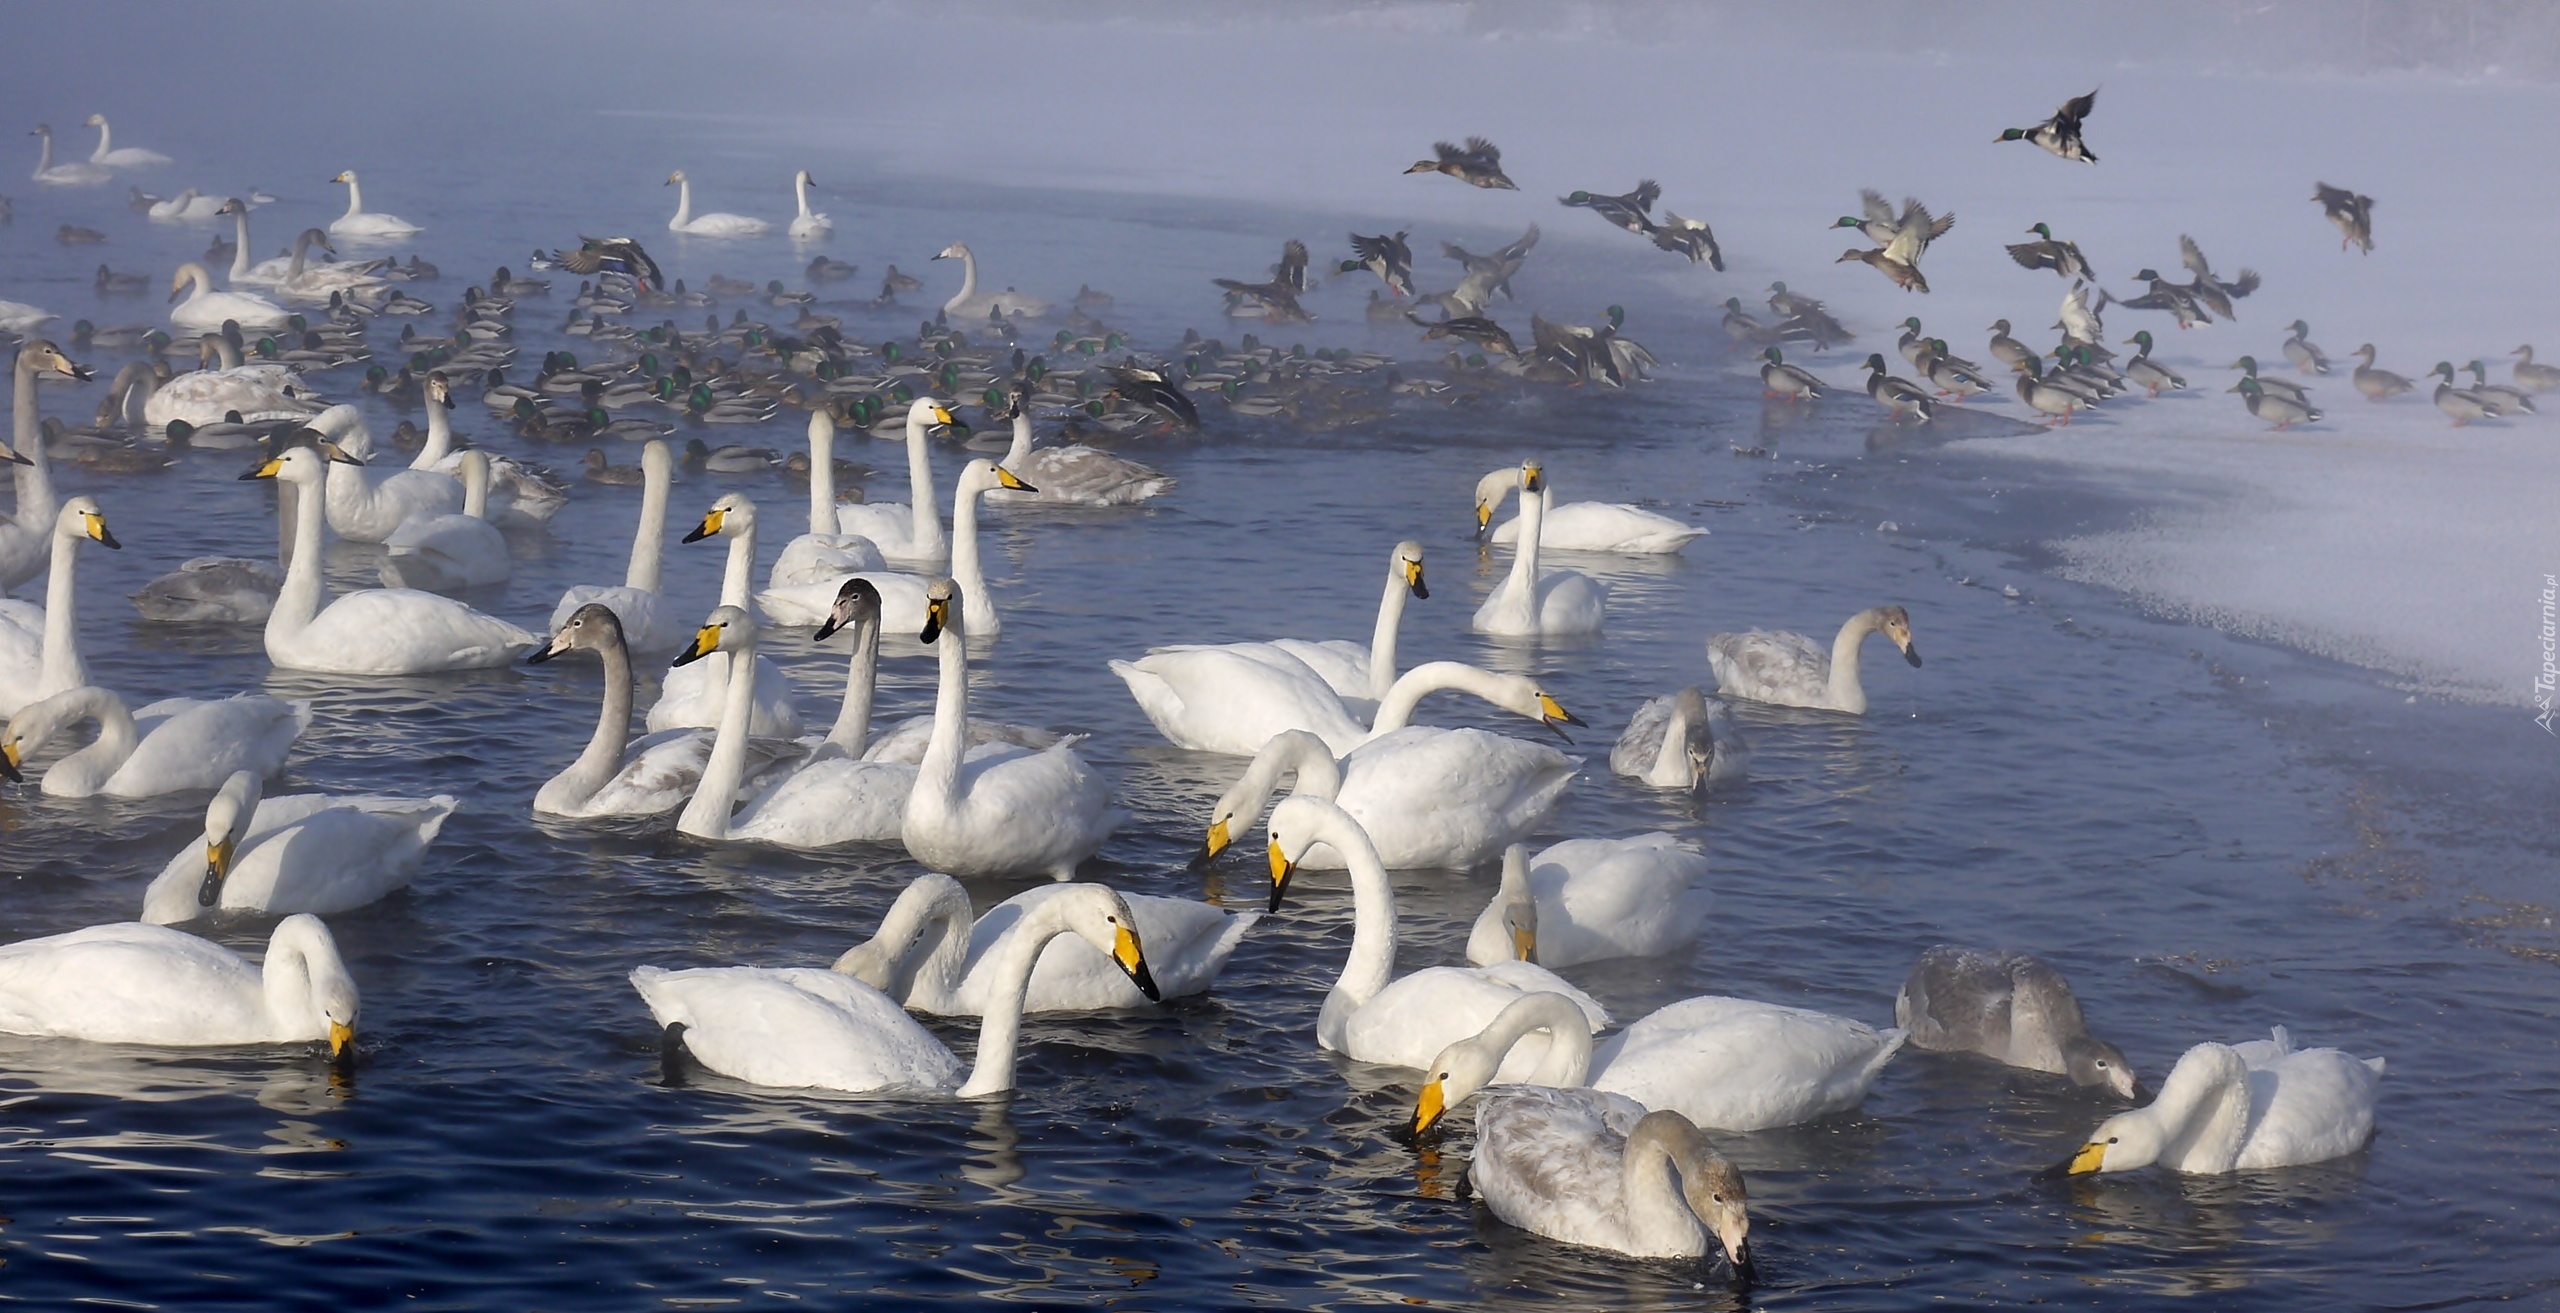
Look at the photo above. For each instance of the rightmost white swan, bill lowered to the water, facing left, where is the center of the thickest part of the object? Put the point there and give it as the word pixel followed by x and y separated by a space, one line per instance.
pixel 2241 1110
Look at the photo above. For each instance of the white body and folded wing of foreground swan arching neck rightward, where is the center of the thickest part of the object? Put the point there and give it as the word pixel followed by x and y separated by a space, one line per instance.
pixel 797 1028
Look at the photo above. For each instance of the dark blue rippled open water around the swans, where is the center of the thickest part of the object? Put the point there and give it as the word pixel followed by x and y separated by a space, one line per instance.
pixel 2211 838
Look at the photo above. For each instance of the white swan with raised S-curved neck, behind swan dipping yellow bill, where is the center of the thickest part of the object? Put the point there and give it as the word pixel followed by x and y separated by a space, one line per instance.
pixel 1371 1015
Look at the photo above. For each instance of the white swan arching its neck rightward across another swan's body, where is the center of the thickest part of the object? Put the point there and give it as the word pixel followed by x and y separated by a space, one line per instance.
pixel 805 1028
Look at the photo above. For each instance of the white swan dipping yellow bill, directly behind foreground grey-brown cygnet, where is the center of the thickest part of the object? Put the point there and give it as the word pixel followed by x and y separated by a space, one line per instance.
pixel 1727 1063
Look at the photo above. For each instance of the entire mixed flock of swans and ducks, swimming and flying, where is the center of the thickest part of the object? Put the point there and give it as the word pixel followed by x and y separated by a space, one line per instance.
pixel 1578 1138
